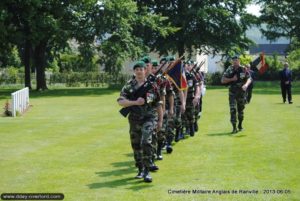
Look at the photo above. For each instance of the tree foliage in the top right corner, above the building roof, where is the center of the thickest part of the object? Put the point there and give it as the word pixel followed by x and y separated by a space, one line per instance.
pixel 282 19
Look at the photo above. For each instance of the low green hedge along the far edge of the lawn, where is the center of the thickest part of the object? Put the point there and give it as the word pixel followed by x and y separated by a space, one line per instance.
pixel 101 79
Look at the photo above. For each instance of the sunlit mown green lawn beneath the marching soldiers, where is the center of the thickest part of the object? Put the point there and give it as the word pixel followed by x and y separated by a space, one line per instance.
pixel 74 141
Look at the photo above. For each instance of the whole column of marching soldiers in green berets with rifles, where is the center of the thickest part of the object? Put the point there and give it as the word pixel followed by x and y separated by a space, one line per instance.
pixel 168 110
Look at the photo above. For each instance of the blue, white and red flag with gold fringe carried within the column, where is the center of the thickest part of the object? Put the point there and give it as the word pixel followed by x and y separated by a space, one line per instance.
pixel 177 75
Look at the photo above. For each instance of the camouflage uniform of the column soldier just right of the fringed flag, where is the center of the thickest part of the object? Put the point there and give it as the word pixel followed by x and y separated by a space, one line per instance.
pixel 189 115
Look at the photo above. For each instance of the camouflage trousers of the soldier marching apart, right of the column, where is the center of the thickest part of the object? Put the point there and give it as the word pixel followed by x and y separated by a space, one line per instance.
pixel 237 106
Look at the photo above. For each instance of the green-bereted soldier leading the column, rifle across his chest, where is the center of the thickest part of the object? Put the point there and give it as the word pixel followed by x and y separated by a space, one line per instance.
pixel 142 120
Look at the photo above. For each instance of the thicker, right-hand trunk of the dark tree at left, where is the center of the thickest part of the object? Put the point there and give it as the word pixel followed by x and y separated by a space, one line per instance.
pixel 40 61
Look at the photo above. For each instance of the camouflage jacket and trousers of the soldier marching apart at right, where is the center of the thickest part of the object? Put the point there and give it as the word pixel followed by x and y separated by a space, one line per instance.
pixel 236 93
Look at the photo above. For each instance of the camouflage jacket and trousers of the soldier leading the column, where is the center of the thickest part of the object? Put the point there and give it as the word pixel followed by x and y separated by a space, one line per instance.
pixel 142 123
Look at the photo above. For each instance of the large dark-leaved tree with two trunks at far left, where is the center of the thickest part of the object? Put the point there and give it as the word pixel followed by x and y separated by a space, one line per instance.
pixel 39 28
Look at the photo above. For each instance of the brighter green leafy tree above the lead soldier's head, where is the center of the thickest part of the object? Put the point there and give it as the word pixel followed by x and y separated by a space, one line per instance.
pixel 115 25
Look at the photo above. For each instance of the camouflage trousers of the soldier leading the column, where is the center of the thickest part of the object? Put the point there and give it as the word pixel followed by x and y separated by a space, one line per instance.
pixel 141 133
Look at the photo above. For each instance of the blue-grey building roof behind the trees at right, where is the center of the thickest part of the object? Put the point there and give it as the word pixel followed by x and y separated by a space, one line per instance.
pixel 269 49
